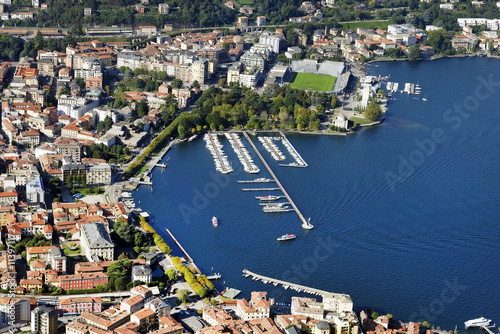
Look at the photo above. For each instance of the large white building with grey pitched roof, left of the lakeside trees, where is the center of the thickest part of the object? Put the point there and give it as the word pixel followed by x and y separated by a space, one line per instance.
pixel 96 242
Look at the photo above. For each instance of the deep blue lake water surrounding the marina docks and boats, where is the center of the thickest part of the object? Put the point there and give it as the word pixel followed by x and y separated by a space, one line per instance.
pixel 406 214
